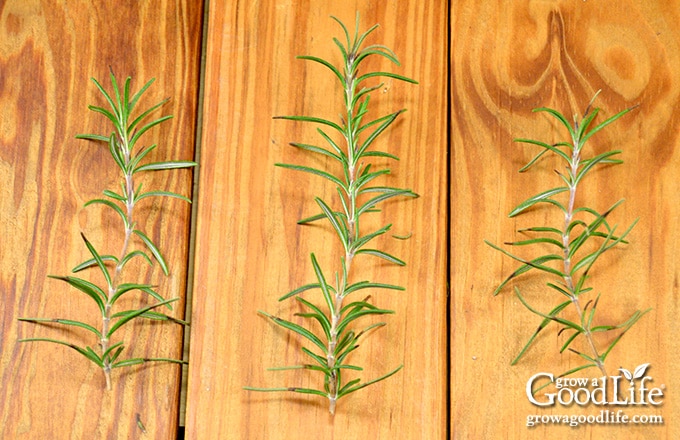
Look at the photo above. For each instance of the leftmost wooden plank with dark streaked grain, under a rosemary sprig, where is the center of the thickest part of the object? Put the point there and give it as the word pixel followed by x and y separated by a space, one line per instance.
pixel 47 55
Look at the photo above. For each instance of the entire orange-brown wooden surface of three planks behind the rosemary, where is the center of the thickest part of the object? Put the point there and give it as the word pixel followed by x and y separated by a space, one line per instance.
pixel 506 59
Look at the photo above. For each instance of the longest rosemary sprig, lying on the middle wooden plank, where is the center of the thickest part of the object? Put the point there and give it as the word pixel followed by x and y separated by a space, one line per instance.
pixel 357 197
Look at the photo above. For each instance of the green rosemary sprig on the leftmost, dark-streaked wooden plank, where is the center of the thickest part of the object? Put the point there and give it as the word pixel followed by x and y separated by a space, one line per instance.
pixel 122 142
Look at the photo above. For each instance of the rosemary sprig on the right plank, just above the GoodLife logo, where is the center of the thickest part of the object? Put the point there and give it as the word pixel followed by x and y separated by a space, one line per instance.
pixel 574 253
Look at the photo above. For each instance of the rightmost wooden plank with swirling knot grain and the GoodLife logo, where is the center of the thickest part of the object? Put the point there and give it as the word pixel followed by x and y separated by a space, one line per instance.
pixel 510 57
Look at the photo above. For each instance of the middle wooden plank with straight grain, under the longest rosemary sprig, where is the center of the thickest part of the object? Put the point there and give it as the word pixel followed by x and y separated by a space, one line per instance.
pixel 249 250
